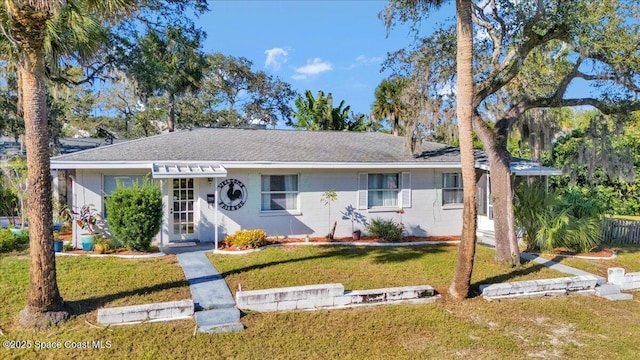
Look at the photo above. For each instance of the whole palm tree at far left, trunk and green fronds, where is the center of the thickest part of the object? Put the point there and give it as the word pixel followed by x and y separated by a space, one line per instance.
pixel 39 32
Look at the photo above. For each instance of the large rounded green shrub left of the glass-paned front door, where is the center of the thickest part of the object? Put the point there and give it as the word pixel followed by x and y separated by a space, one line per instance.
pixel 134 214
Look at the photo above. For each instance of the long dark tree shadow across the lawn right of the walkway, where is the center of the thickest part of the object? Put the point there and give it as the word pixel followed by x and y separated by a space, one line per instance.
pixel 378 254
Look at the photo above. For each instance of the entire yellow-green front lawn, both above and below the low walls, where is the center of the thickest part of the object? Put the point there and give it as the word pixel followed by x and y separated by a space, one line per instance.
pixel 574 327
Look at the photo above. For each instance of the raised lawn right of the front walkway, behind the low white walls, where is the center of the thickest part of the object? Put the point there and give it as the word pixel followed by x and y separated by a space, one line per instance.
pixel 359 268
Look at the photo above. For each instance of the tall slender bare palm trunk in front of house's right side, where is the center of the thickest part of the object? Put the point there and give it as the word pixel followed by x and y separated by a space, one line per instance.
pixel 464 98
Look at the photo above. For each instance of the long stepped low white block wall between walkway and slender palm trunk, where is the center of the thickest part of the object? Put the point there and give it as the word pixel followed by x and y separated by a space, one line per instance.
pixel 330 296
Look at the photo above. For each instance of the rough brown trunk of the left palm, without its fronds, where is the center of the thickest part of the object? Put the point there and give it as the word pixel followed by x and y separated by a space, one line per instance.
pixel 44 305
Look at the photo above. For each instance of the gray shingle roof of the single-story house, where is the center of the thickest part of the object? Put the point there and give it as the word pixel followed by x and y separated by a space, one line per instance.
pixel 261 145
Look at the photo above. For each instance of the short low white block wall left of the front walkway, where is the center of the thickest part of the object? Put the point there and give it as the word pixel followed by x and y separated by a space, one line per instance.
pixel 166 311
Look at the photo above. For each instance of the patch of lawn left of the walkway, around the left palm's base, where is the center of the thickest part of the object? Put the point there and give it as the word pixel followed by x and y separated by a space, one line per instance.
pixel 89 283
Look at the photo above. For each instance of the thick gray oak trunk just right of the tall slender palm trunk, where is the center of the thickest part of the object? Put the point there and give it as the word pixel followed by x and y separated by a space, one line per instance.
pixel 494 141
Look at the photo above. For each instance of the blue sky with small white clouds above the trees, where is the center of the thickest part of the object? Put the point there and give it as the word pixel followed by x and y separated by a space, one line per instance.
pixel 335 45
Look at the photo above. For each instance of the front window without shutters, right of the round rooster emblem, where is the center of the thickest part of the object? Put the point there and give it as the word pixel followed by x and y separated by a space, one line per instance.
pixel 279 192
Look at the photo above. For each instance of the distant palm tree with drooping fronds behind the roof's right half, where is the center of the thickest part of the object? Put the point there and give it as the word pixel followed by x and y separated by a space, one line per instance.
pixel 388 104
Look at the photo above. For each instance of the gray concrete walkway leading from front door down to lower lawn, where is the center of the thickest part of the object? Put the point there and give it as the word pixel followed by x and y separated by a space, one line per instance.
pixel 215 308
